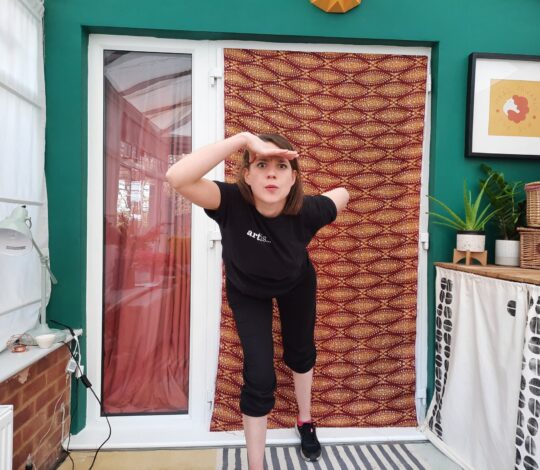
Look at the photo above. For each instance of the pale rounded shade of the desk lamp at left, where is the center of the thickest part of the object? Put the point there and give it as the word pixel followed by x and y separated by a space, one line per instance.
pixel 15 235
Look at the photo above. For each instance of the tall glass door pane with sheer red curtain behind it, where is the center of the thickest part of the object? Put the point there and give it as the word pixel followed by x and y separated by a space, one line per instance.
pixel 147 234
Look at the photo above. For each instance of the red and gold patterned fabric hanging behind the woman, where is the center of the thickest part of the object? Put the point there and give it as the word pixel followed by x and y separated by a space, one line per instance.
pixel 357 121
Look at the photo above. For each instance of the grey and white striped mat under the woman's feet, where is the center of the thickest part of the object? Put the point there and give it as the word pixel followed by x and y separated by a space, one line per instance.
pixel 337 457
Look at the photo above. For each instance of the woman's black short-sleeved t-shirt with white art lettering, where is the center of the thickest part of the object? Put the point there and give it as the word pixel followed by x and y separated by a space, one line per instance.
pixel 263 256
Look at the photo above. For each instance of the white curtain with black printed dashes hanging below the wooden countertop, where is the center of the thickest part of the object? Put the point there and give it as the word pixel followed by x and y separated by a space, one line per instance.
pixel 480 331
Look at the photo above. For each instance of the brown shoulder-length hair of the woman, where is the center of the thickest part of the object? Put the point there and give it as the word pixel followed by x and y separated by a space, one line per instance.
pixel 295 198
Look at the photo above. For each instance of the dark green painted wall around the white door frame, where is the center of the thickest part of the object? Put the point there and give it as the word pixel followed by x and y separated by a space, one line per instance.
pixel 453 29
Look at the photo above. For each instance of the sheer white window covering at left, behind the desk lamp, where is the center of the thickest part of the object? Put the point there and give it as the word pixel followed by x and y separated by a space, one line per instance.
pixel 22 152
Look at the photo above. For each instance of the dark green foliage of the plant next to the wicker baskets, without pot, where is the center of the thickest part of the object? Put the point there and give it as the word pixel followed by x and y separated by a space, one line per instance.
pixel 508 198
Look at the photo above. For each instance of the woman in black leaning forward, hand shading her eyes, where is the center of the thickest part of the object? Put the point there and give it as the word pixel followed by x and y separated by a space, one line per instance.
pixel 266 224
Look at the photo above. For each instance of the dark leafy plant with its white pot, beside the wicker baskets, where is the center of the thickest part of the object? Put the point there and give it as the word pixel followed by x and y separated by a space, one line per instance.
pixel 509 200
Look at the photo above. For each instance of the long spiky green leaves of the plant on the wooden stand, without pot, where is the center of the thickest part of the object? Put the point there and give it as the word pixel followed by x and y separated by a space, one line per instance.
pixel 475 218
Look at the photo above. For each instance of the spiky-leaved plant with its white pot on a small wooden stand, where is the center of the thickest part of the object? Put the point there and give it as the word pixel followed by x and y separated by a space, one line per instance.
pixel 470 229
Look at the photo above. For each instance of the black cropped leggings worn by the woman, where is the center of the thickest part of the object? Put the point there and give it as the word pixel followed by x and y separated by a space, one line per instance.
pixel 253 317
